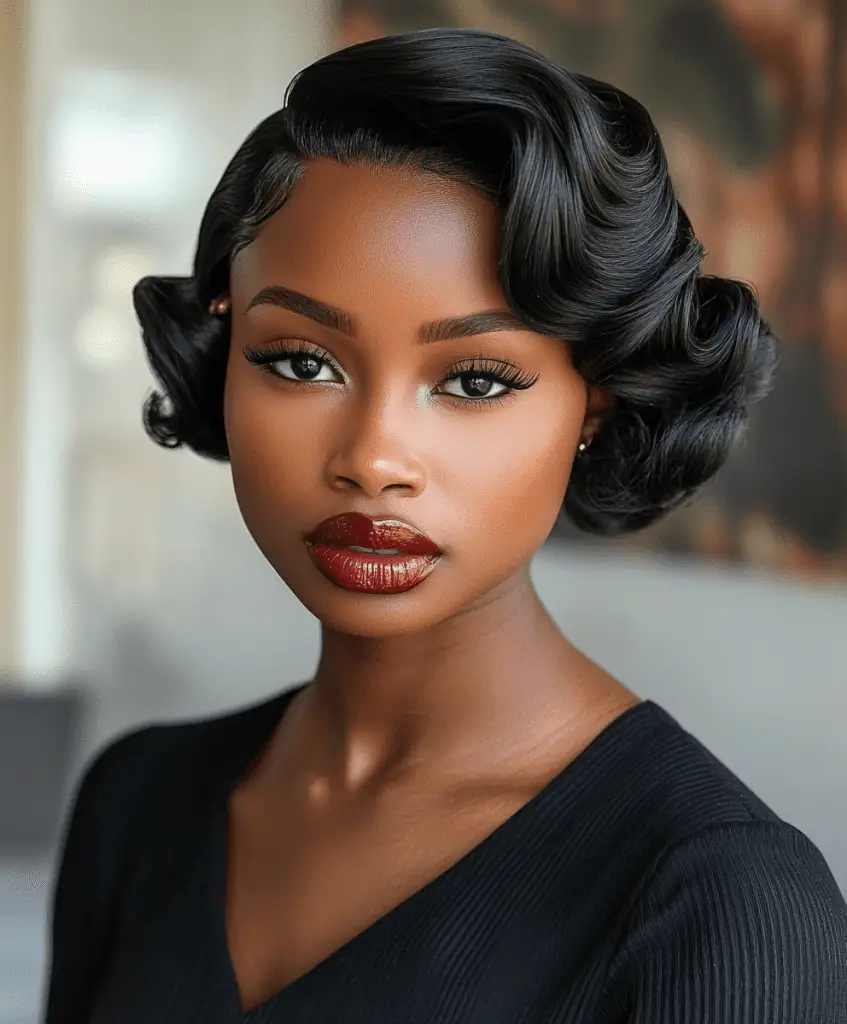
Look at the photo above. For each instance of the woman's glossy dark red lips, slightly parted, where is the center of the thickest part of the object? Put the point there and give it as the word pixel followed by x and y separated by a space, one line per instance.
pixel 397 559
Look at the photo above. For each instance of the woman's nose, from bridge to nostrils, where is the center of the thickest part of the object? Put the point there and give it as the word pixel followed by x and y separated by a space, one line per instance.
pixel 374 453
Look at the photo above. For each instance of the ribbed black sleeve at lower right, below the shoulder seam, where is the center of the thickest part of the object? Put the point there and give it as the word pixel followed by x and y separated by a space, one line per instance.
pixel 741 924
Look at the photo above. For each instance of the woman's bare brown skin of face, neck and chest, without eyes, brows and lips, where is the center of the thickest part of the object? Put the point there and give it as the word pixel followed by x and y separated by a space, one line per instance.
pixel 435 714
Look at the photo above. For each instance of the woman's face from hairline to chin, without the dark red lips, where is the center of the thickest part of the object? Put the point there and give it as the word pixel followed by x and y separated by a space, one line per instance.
pixel 375 417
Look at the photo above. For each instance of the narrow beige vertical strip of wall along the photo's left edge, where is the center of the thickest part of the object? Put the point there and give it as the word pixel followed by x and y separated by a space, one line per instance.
pixel 12 102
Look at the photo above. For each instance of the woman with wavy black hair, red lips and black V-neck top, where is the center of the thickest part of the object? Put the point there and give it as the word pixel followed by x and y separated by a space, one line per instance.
pixel 446 287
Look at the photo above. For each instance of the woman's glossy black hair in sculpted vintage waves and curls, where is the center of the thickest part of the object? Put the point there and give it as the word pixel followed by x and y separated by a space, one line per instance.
pixel 595 249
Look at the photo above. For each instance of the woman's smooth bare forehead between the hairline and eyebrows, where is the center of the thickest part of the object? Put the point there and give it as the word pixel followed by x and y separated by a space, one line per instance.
pixel 358 230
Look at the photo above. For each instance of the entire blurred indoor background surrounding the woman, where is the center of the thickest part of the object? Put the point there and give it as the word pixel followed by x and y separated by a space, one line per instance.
pixel 130 589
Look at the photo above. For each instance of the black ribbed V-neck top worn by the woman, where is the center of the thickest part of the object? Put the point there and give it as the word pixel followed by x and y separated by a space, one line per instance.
pixel 645 885
